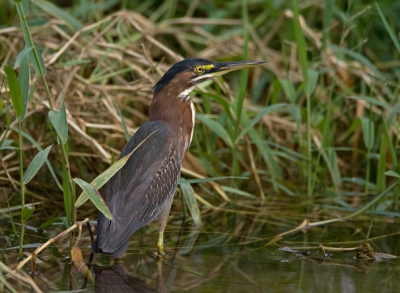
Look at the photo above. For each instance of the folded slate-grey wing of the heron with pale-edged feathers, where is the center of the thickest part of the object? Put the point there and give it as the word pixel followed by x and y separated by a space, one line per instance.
pixel 135 194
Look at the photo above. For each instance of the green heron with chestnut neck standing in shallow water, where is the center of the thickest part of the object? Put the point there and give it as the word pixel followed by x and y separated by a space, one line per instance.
pixel 144 188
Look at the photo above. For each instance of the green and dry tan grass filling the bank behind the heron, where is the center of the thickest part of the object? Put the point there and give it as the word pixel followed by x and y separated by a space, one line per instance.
pixel 321 119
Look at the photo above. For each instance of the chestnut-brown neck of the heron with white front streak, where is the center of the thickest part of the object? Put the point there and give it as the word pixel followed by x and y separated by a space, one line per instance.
pixel 177 111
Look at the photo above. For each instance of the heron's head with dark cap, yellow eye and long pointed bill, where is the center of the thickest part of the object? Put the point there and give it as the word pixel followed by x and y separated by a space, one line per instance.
pixel 184 75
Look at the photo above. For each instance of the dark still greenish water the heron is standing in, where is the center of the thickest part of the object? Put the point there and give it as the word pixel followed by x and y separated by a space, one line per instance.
pixel 230 254
